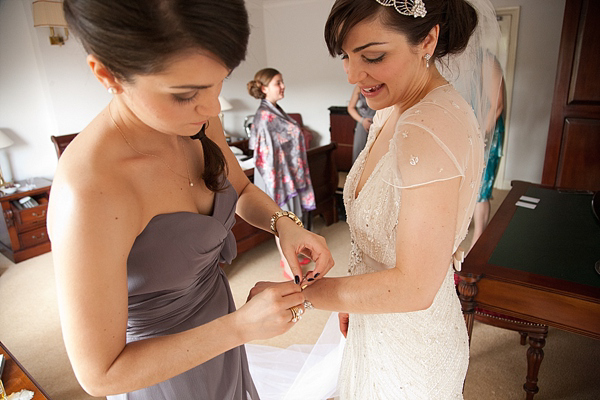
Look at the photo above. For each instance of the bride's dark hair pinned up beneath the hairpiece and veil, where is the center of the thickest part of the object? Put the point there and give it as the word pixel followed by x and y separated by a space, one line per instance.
pixel 457 20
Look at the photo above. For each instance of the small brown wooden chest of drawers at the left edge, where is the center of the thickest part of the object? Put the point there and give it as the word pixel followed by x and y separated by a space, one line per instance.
pixel 23 230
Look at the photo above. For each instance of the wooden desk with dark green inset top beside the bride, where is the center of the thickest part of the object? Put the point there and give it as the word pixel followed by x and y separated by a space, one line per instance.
pixel 551 279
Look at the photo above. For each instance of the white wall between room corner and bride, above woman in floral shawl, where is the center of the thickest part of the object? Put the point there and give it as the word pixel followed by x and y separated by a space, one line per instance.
pixel 295 46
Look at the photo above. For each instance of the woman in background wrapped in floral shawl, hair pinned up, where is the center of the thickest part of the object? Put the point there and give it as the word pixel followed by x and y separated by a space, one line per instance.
pixel 281 167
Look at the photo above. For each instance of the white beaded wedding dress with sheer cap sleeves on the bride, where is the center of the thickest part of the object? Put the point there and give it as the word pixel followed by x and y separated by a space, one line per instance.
pixel 422 354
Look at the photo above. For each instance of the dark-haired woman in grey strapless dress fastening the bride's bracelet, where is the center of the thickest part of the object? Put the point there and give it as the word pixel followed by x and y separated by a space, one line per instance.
pixel 142 207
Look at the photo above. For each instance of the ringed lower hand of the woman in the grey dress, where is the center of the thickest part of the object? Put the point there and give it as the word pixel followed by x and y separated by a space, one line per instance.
pixel 267 313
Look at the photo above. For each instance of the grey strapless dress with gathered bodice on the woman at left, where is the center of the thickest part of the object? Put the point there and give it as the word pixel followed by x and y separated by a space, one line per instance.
pixel 175 283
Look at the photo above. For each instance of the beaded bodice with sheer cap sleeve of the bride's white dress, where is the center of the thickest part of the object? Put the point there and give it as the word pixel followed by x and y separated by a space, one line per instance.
pixel 437 139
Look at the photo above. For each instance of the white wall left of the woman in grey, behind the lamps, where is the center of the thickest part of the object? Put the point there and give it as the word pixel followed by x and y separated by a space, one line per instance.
pixel 45 90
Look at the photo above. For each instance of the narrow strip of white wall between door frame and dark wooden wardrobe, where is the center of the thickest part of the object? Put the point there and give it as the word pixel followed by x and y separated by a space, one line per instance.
pixel 540 26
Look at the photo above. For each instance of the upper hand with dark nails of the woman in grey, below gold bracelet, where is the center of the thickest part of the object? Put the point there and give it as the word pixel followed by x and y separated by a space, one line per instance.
pixel 295 240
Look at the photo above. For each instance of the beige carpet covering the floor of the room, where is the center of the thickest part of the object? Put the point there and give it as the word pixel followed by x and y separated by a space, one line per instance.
pixel 29 327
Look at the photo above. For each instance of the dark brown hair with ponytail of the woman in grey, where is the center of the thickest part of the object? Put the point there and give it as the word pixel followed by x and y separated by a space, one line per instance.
pixel 141 37
